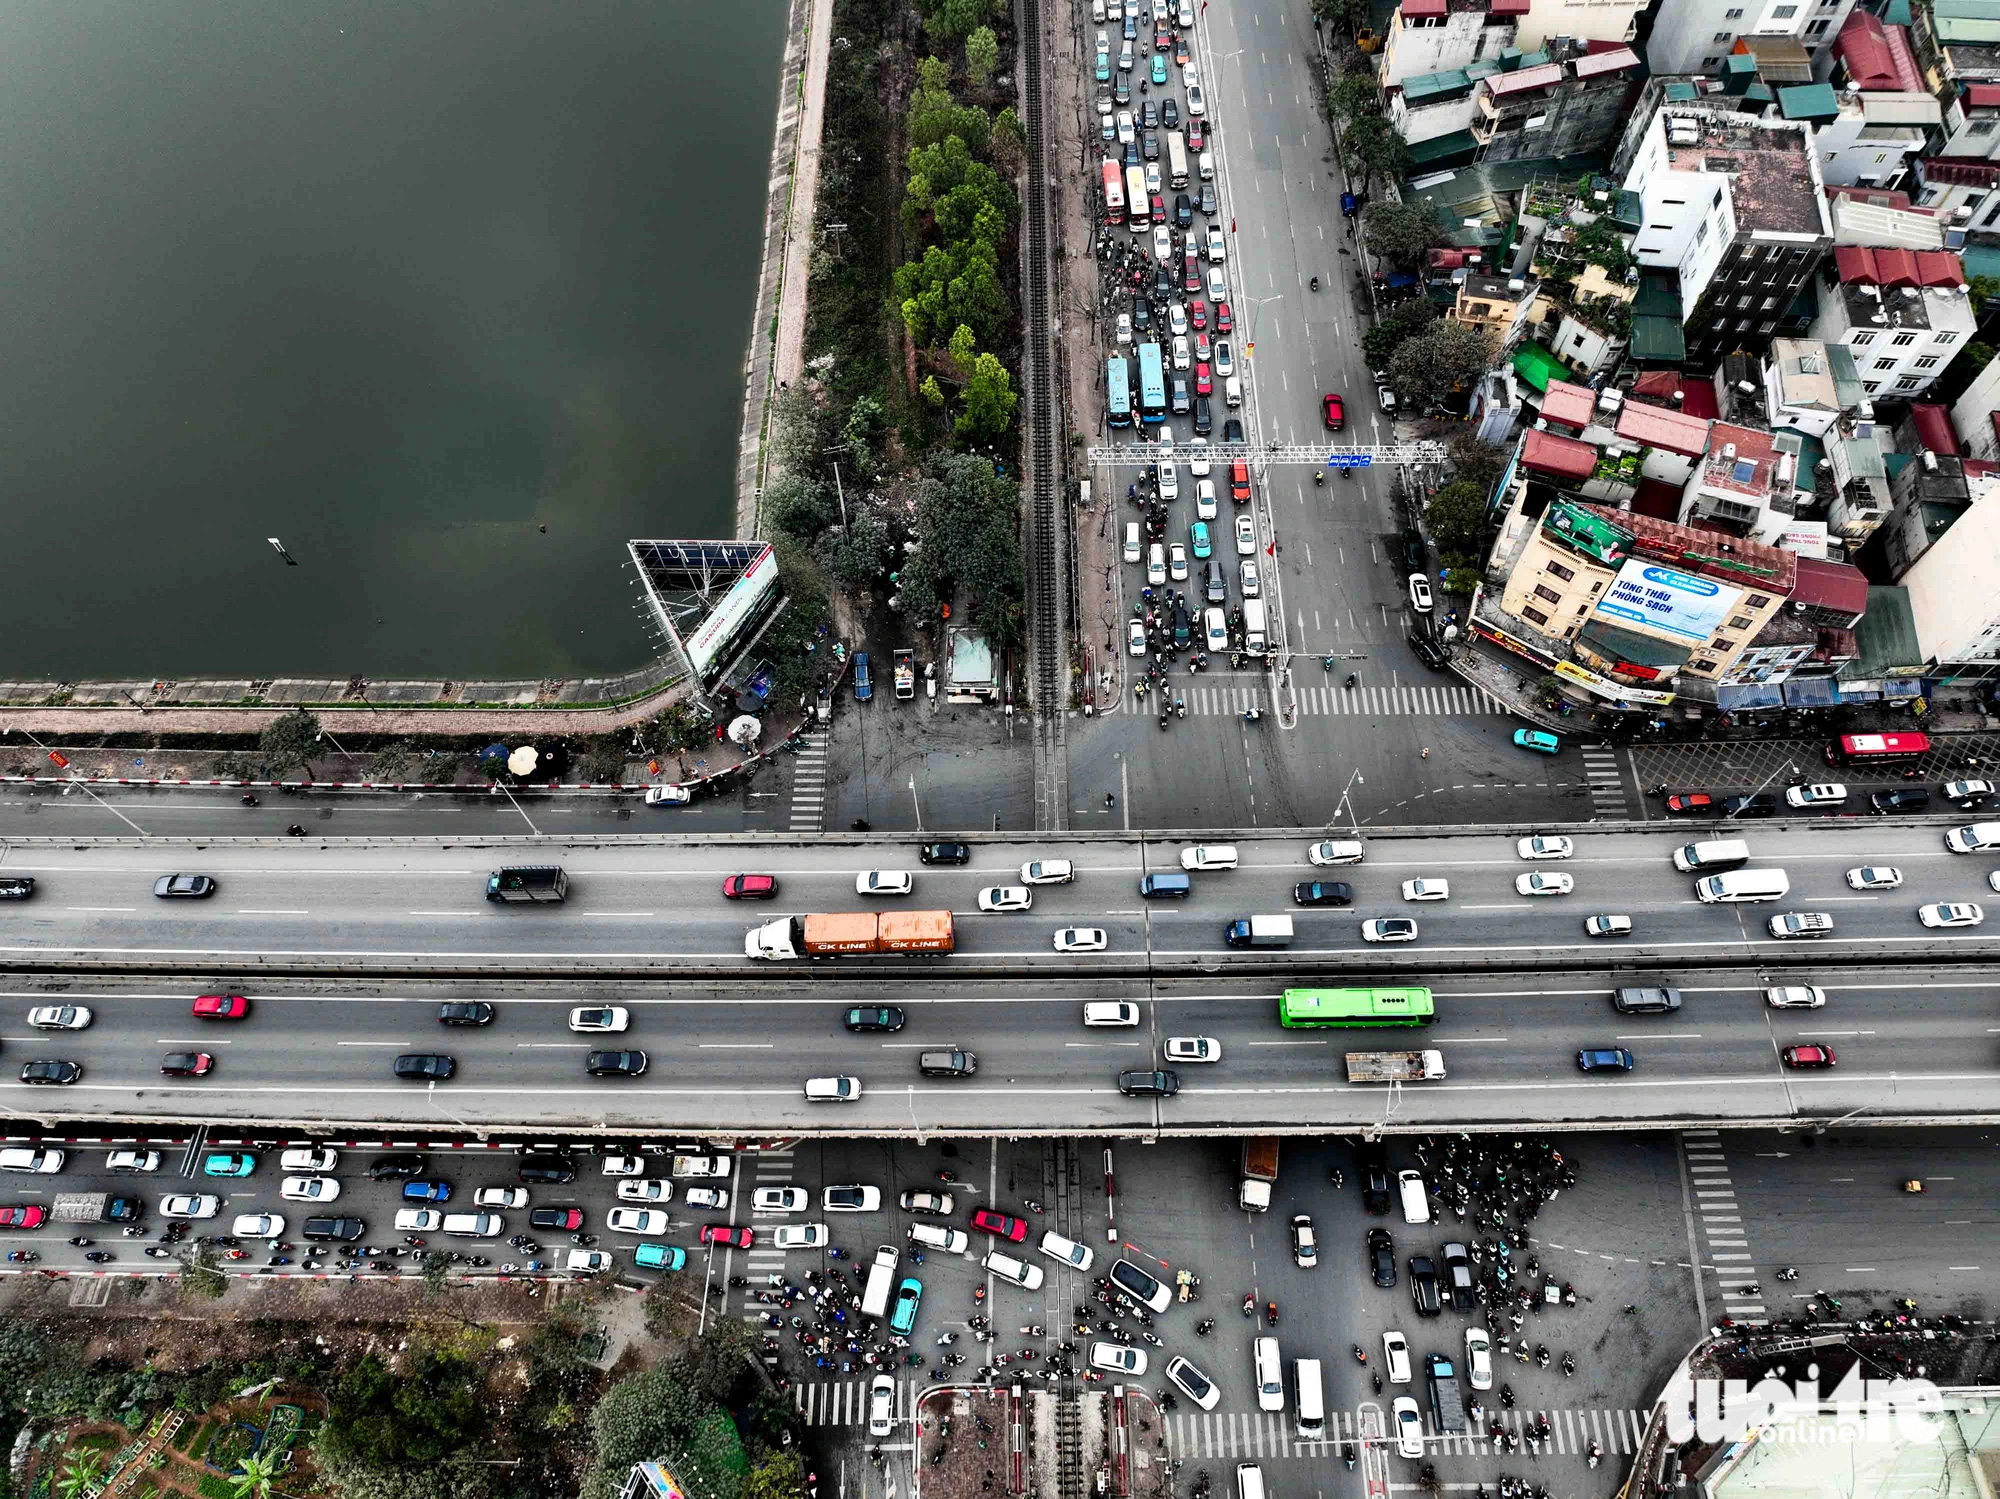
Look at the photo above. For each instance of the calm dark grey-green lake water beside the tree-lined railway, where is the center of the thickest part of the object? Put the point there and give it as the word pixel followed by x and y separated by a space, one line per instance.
pixel 395 283
